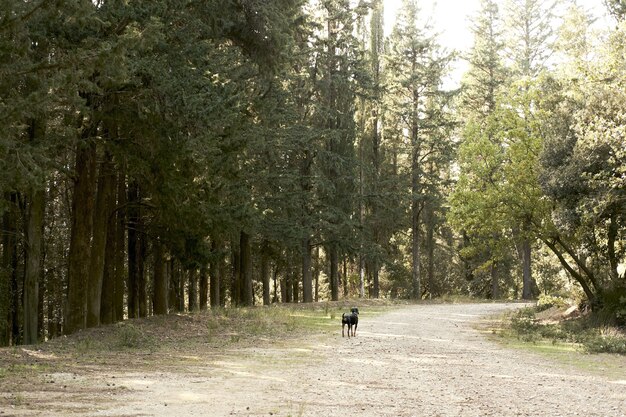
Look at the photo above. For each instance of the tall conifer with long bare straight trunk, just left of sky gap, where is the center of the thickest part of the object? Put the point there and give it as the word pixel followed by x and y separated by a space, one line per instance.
pixel 416 65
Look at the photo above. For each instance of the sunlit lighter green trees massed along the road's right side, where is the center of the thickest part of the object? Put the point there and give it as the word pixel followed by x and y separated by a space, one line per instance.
pixel 542 158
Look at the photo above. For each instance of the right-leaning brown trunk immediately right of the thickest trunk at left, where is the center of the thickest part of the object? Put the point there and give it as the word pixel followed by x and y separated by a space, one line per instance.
pixel 102 213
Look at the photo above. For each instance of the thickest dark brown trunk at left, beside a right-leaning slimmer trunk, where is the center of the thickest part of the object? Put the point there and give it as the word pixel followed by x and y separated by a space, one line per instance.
pixel 80 239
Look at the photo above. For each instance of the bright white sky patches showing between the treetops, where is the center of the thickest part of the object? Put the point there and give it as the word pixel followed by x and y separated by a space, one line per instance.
pixel 450 18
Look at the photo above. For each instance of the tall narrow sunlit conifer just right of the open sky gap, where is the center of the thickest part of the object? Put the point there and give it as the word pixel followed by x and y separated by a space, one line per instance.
pixel 484 246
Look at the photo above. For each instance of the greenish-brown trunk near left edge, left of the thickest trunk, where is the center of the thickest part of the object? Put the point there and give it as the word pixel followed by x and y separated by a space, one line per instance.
pixel 34 237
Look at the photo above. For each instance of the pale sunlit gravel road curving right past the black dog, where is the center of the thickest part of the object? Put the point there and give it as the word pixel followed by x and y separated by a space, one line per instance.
pixel 425 360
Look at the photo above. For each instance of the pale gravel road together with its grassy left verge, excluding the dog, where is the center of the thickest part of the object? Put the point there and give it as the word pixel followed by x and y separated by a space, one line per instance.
pixel 413 360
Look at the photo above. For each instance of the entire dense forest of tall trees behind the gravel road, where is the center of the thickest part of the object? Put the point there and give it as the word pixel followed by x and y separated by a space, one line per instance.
pixel 175 155
